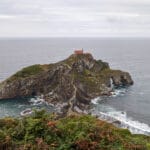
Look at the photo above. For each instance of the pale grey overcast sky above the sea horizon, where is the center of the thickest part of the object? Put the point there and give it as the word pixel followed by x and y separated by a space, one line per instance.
pixel 48 18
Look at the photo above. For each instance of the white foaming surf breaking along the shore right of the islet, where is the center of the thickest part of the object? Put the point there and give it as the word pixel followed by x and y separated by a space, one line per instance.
pixel 118 118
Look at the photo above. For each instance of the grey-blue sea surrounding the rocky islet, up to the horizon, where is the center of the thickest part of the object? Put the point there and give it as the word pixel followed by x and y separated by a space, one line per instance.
pixel 129 107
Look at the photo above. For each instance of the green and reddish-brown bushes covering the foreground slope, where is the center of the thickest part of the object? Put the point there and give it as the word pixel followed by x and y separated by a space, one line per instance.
pixel 42 131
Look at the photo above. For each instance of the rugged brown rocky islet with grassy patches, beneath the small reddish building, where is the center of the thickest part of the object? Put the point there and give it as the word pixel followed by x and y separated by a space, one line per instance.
pixel 74 81
